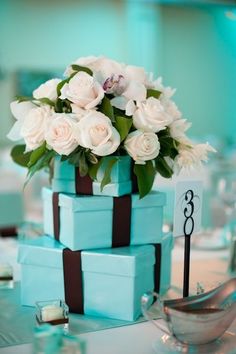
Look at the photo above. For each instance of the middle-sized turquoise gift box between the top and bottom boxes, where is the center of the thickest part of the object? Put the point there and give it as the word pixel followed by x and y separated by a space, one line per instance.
pixel 86 222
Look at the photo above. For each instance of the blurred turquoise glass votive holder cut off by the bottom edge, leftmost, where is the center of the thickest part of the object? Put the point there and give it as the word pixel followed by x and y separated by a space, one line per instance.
pixel 47 339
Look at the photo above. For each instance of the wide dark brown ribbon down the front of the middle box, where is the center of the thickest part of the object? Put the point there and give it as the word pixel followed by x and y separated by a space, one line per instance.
pixel 121 221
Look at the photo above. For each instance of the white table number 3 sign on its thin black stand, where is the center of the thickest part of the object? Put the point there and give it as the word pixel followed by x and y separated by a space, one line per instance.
pixel 187 219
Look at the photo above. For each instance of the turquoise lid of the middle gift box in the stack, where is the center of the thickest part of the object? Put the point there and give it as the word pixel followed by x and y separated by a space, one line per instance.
pixel 77 203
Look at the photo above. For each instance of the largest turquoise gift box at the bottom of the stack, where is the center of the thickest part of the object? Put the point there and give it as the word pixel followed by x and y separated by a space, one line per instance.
pixel 113 279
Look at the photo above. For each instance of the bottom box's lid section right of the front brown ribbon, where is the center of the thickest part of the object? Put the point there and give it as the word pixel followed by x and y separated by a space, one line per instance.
pixel 123 261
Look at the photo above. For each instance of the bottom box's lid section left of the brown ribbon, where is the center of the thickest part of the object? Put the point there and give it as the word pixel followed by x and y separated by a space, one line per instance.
pixel 42 251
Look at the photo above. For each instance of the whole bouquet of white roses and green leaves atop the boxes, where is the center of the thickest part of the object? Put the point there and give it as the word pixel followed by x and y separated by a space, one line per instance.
pixel 104 108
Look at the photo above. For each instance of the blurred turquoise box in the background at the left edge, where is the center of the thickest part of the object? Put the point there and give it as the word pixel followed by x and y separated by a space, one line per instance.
pixel 12 209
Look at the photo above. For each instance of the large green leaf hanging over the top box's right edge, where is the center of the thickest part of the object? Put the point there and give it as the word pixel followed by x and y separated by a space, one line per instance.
pixel 145 176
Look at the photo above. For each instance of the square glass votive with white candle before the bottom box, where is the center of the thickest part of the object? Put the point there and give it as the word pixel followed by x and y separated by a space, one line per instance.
pixel 54 312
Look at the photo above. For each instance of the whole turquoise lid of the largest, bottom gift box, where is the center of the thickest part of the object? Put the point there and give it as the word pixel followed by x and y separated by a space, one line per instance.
pixel 123 261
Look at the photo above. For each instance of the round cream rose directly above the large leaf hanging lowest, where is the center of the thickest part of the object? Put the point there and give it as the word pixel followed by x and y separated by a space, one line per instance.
pixel 142 146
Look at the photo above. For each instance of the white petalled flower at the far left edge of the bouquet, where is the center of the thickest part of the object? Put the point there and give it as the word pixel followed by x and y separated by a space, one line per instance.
pixel 19 111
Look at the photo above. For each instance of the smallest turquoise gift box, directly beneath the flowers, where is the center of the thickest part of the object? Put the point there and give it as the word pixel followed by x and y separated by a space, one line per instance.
pixel 64 177
